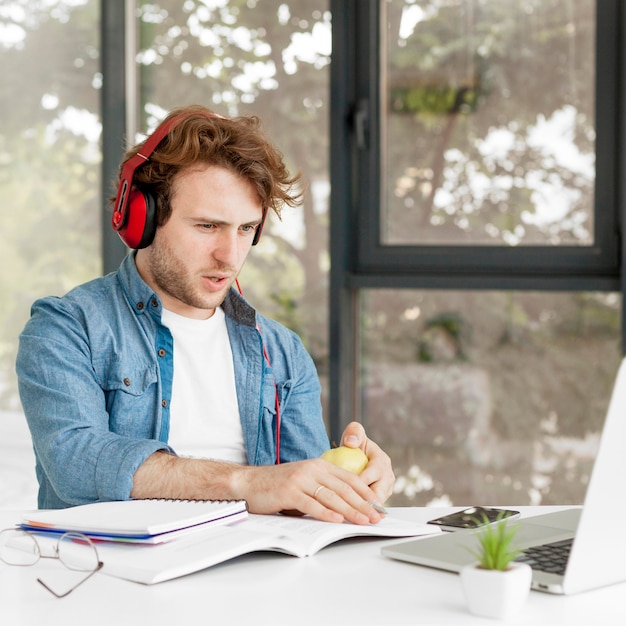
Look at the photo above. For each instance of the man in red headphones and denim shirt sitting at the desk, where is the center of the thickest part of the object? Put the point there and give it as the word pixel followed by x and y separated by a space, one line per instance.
pixel 160 380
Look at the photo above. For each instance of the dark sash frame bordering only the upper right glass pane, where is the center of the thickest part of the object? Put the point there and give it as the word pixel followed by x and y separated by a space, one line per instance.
pixel 569 267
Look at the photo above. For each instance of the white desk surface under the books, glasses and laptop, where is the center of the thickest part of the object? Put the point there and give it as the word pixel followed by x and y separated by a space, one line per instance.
pixel 348 583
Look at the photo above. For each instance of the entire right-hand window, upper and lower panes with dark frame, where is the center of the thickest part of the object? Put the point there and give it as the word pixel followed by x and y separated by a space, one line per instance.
pixel 480 244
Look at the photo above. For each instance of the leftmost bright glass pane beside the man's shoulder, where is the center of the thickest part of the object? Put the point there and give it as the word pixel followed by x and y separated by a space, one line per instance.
pixel 50 185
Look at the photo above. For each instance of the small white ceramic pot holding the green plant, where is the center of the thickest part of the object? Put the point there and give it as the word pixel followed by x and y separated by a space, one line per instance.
pixel 493 593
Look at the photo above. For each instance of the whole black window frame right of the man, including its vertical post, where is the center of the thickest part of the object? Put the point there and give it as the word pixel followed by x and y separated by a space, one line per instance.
pixel 359 260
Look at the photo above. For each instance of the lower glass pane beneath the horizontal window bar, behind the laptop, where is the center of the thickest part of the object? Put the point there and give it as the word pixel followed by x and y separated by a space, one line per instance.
pixel 488 397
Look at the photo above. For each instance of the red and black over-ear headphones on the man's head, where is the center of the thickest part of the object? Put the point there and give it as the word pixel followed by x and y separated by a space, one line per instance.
pixel 134 215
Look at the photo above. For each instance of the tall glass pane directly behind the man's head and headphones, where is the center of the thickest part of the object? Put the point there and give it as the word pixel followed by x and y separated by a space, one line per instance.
pixel 268 59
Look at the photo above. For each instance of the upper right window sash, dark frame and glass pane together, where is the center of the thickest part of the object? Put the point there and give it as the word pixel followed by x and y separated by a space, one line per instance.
pixel 511 178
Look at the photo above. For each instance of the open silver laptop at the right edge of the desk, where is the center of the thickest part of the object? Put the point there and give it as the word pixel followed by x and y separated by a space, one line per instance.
pixel 594 534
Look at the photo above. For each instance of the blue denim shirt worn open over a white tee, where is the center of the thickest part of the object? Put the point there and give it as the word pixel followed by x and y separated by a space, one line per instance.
pixel 95 370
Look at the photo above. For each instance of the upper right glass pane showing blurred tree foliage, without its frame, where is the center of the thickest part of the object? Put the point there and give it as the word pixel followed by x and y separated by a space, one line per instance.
pixel 488 122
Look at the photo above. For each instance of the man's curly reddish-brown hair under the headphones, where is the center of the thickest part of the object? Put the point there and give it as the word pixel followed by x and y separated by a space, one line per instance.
pixel 203 138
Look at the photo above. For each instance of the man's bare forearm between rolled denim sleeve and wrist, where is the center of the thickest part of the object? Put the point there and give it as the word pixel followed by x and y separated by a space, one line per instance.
pixel 164 475
